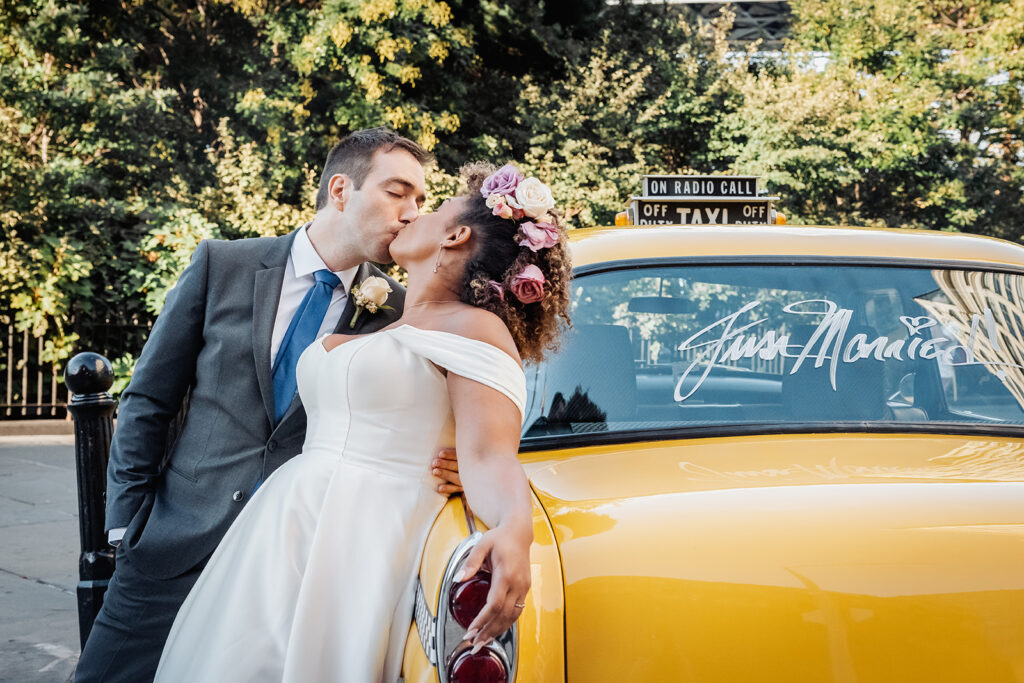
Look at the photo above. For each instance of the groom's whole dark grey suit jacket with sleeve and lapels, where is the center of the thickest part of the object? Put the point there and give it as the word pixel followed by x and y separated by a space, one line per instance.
pixel 212 344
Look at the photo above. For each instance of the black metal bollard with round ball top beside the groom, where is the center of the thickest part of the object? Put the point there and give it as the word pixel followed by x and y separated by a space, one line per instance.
pixel 90 376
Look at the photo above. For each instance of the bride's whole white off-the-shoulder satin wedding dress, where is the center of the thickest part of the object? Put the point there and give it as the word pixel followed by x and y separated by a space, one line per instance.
pixel 315 580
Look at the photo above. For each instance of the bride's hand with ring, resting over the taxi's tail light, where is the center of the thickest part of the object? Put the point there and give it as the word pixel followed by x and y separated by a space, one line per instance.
pixel 508 549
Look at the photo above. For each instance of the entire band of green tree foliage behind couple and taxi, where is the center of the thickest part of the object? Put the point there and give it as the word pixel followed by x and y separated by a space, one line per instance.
pixel 133 130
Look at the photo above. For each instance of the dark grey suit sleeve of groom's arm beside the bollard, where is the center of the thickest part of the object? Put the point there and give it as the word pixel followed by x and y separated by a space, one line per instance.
pixel 158 388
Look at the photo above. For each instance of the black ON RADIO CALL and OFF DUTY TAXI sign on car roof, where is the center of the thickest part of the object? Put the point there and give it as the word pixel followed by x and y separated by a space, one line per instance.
pixel 716 200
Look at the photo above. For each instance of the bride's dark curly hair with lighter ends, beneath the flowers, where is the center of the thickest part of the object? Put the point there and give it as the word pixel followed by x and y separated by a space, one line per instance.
pixel 535 327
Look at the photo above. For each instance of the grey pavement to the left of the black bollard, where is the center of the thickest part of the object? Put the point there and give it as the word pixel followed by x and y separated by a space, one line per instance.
pixel 39 548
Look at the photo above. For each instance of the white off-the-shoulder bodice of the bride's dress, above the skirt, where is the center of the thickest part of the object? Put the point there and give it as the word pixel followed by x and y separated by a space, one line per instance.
pixel 380 402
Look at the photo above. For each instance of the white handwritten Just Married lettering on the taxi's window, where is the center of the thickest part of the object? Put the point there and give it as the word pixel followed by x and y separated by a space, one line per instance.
pixel 724 341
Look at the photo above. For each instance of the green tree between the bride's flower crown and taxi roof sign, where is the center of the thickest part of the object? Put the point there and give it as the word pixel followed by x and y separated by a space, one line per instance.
pixel 642 97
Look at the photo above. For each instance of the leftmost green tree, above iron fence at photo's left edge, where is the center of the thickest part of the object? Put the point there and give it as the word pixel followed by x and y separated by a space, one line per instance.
pixel 81 151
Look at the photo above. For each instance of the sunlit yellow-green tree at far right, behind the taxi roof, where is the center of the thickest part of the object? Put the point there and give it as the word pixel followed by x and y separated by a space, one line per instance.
pixel 911 117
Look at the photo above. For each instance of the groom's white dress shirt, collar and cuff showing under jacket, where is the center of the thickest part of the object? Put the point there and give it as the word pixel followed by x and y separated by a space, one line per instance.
pixel 304 262
